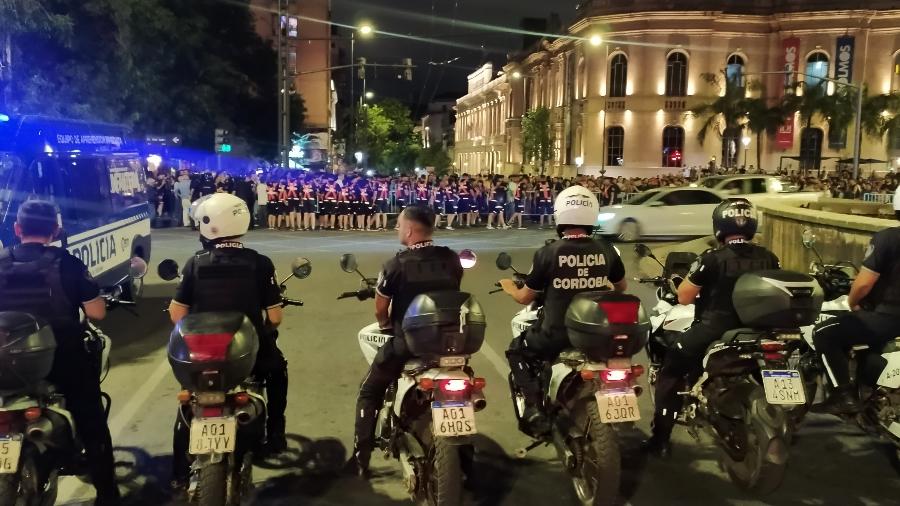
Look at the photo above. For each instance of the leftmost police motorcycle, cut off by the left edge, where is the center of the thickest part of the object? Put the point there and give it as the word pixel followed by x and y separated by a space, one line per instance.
pixel 39 442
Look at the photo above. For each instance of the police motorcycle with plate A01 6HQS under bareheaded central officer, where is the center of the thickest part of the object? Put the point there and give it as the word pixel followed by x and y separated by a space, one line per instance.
pixel 428 415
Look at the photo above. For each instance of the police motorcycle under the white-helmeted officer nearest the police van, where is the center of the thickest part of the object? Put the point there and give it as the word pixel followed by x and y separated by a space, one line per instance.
pixel 212 355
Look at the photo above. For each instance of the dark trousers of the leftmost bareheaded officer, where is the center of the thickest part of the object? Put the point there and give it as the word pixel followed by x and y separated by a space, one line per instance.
pixel 76 376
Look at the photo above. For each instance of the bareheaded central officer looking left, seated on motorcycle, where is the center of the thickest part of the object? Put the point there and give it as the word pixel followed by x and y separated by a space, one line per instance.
pixel 421 268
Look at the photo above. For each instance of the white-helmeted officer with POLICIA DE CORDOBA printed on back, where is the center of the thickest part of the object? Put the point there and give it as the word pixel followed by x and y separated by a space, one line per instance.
pixel 556 276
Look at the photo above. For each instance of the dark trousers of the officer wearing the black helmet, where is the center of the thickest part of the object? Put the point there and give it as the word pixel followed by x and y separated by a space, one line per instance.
pixel 681 366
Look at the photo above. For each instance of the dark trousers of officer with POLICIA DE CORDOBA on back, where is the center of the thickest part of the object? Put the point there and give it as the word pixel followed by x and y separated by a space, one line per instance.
pixel 527 355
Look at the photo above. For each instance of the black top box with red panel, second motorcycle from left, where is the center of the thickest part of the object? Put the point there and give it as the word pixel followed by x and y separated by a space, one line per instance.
pixel 213 351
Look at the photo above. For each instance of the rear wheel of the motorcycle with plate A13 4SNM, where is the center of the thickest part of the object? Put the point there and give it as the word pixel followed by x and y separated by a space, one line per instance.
pixel 755 473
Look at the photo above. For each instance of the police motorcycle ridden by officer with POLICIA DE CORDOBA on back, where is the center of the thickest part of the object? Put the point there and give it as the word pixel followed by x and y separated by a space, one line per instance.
pixel 591 389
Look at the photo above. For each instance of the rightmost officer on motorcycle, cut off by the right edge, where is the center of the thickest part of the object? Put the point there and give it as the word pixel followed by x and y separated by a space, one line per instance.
pixel 874 319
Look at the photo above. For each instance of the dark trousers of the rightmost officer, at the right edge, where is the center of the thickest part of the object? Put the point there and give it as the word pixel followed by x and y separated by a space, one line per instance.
pixel 836 336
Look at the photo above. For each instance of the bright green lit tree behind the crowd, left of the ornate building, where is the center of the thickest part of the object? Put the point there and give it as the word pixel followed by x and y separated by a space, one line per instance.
pixel 386 135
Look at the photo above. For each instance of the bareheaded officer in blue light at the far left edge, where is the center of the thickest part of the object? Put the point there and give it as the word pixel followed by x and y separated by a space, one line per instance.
pixel 50 283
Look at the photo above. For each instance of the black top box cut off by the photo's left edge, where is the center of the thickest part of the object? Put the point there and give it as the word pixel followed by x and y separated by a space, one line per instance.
pixel 27 346
